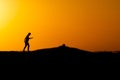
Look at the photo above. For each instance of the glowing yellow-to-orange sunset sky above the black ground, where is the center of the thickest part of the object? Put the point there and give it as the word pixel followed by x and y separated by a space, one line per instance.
pixel 92 25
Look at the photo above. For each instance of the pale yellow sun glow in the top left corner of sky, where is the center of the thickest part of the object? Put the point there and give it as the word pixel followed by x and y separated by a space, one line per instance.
pixel 8 9
